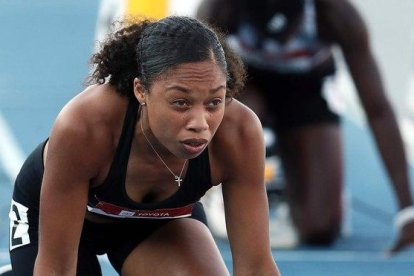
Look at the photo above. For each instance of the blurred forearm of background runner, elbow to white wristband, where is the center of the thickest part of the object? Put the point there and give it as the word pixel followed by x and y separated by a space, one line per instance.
pixel 390 146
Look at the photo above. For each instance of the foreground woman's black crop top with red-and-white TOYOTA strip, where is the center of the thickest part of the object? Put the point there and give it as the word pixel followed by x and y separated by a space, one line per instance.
pixel 110 199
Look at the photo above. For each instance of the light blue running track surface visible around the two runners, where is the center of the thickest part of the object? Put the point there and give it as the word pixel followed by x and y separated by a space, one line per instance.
pixel 43 62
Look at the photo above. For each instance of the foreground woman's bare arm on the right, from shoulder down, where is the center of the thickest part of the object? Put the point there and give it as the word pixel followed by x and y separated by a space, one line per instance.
pixel 246 207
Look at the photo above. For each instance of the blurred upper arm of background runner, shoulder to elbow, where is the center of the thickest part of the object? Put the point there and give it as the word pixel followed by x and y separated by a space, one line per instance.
pixel 345 27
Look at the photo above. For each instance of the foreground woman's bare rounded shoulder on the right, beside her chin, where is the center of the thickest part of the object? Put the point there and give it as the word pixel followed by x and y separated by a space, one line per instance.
pixel 239 138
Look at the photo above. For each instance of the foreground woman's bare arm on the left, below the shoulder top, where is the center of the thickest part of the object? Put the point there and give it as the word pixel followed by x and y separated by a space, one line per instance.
pixel 71 162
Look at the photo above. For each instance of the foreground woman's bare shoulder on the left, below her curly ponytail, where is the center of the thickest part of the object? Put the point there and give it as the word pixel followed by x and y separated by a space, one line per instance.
pixel 88 124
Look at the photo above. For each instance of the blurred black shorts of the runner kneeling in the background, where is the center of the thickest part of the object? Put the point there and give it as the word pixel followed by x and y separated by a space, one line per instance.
pixel 292 100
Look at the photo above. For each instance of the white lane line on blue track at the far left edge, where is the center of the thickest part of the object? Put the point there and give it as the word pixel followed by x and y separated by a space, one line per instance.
pixel 11 155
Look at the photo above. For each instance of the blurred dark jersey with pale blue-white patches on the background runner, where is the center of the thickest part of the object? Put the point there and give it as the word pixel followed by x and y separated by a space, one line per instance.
pixel 300 54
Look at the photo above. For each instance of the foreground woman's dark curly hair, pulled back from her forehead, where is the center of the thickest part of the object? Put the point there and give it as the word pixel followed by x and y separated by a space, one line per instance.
pixel 146 49
